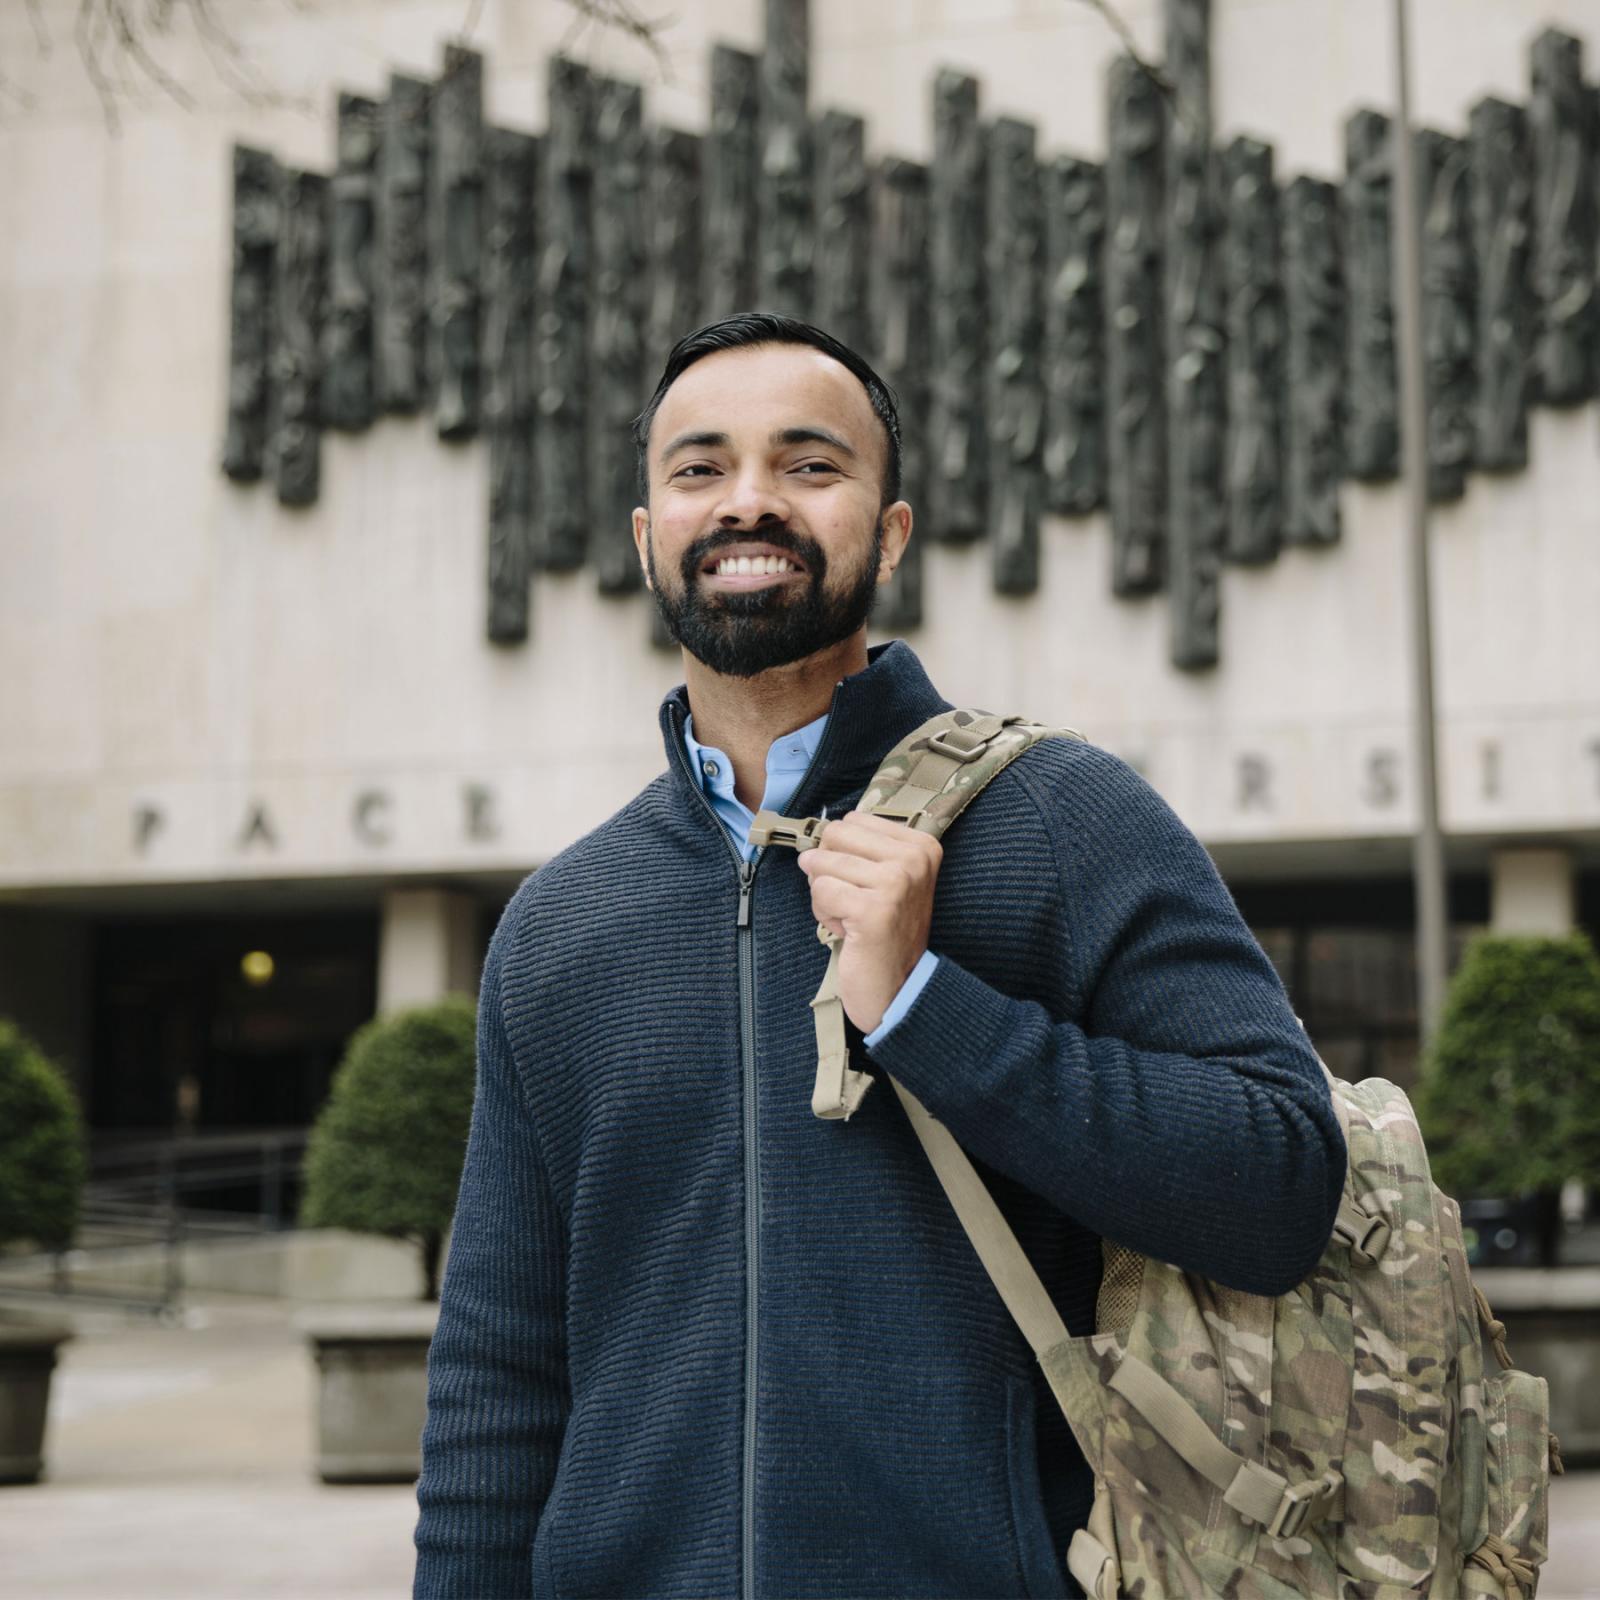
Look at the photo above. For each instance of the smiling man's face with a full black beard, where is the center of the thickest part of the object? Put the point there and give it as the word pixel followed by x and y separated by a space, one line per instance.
pixel 764 542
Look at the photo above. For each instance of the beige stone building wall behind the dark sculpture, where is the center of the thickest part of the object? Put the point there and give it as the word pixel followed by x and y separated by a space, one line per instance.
pixel 178 654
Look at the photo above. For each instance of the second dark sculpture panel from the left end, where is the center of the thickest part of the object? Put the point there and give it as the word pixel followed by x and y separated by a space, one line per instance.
pixel 302 286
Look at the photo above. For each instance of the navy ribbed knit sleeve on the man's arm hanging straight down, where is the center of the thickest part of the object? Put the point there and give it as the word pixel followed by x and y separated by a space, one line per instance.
pixel 497 1369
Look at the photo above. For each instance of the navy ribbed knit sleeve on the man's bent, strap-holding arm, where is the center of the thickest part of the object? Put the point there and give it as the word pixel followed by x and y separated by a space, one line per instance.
pixel 1178 1108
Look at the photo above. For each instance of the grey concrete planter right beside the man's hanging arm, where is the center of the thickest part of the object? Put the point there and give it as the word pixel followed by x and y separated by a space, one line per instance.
pixel 372 1391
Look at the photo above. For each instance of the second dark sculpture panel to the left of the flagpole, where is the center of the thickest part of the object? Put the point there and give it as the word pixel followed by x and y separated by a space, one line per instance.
pixel 1314 327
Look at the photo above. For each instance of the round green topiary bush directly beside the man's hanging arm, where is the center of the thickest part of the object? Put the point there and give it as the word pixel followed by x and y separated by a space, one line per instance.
pixel 386 1151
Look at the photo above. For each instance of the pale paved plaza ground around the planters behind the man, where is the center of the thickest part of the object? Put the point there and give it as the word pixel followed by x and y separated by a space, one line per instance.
pixel 182 1468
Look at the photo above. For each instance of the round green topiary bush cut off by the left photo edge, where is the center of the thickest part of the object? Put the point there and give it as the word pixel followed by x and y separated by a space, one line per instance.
pixel 44 1161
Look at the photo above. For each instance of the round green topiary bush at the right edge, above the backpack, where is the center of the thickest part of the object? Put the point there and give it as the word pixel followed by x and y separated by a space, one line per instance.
pixel 1511 1089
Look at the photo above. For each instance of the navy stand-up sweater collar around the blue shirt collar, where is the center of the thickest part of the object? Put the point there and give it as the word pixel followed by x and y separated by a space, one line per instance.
pixel 871 713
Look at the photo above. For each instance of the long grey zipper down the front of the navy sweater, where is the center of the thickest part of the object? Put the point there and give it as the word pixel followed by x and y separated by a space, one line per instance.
pixel 753 1162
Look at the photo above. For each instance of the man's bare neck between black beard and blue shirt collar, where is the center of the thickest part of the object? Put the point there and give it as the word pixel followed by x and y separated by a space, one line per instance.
pixel 743 718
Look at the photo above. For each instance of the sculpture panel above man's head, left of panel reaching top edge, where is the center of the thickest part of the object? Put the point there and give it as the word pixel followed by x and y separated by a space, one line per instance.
pixel 732 182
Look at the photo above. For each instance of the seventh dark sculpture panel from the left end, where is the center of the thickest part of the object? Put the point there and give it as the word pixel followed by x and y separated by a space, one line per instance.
pixel 561 529
